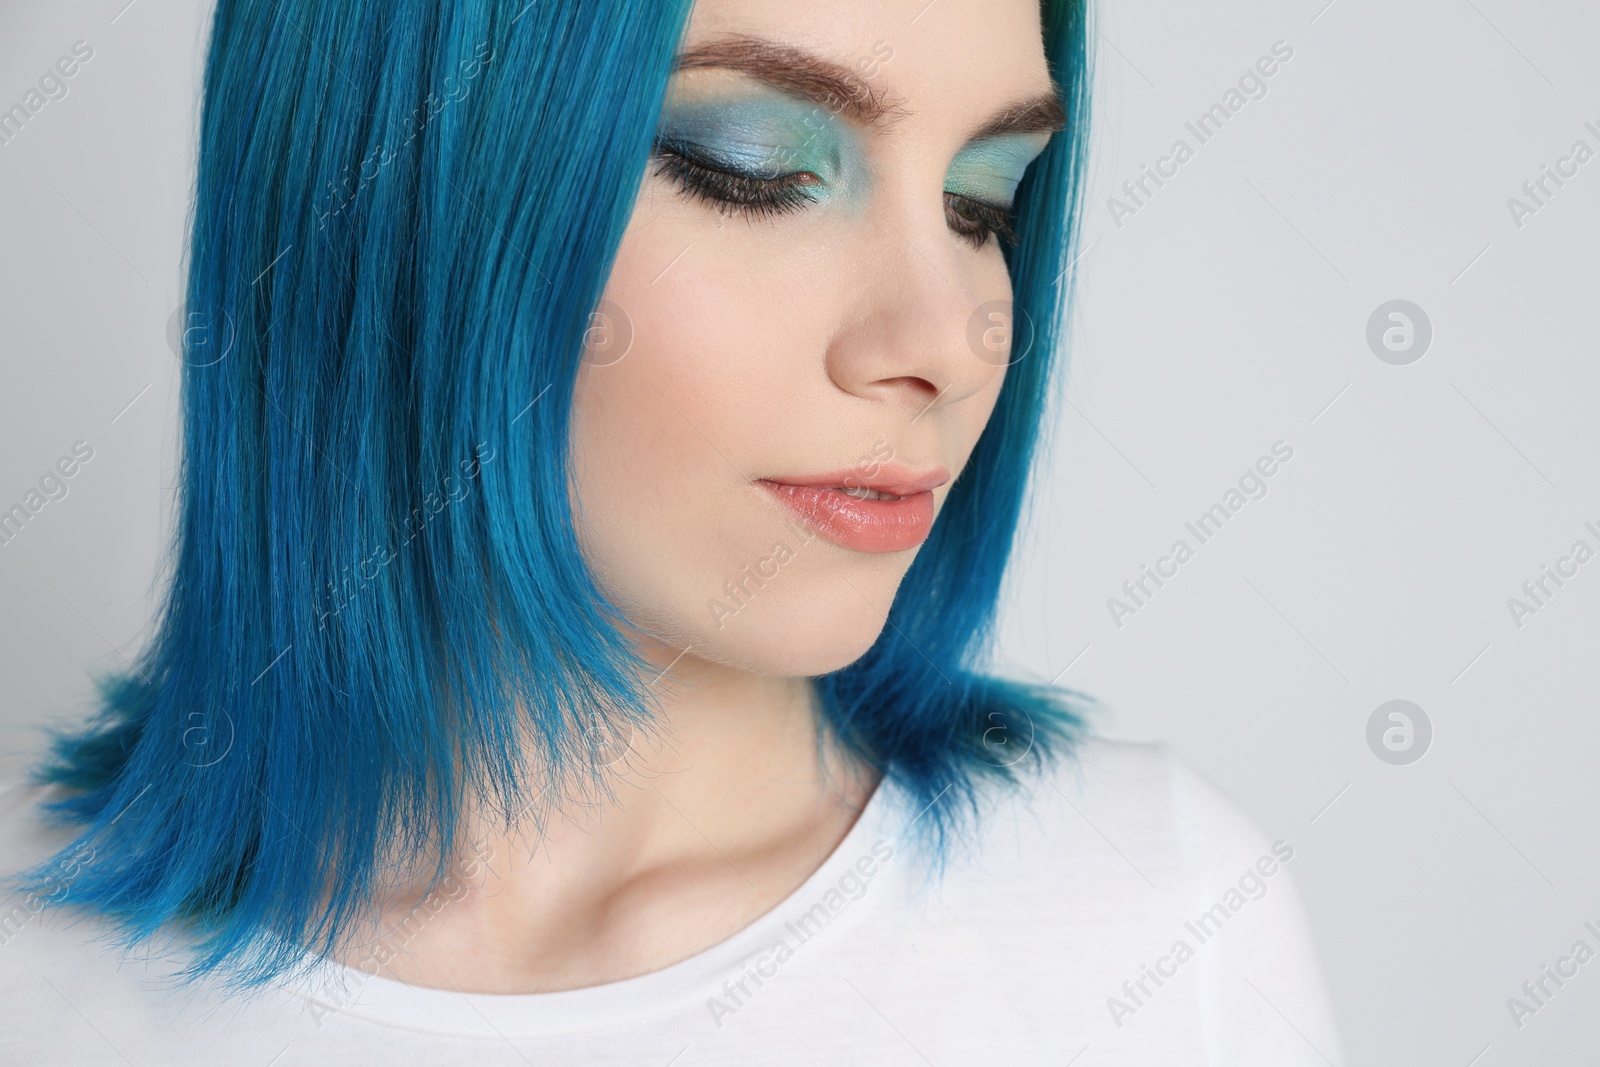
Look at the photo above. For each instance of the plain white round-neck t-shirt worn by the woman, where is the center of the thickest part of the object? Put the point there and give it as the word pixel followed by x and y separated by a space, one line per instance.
pixel 1118 911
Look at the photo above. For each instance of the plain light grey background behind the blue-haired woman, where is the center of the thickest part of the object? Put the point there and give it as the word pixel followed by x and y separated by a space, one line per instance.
pixel 1226 314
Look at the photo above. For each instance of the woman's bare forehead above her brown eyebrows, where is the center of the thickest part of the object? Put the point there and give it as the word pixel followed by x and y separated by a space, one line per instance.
pixel 948 63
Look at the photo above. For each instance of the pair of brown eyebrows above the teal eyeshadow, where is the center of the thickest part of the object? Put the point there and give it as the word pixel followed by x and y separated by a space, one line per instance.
pixel 841 90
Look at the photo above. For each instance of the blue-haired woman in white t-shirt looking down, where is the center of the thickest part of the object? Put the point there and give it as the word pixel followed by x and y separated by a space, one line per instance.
pixel 606 430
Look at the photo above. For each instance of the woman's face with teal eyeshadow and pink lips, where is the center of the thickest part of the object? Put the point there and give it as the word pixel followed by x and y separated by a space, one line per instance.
pixel 809 311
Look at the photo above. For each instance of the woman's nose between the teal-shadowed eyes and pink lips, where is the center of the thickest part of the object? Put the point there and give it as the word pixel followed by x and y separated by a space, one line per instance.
pixel 918 327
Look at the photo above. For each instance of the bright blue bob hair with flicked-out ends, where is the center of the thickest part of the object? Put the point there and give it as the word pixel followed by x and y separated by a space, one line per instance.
pixel 406 215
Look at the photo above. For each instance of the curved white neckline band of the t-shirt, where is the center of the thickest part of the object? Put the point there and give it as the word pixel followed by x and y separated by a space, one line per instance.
pixel 343 991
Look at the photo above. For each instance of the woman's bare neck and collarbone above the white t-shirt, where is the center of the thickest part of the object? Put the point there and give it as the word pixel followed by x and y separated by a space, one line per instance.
pixel 713 820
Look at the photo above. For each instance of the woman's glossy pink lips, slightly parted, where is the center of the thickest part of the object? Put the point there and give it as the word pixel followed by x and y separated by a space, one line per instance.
pixel 865 526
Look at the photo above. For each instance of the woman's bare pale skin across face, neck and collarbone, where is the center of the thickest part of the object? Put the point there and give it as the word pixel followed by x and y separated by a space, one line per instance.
pixel 762 346
